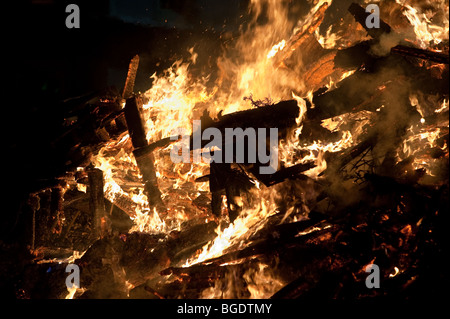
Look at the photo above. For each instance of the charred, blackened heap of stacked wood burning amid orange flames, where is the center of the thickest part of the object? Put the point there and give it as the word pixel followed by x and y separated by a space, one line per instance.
pixel 367 207
